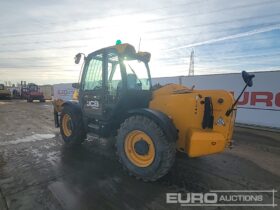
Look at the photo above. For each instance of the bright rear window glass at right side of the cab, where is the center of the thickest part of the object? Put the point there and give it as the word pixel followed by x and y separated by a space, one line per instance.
pixel 137 75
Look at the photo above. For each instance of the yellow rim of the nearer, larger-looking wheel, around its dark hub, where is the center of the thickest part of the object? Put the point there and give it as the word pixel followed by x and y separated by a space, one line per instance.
pixel 140 160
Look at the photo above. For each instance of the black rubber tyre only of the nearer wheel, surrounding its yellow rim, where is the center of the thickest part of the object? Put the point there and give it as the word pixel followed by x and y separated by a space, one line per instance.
pixel 165 149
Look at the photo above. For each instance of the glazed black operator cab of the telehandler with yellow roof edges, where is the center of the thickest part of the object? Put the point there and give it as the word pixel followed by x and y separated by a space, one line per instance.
pixel 114 80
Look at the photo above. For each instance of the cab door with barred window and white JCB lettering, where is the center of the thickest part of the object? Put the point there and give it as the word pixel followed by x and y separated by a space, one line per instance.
pixel 92 87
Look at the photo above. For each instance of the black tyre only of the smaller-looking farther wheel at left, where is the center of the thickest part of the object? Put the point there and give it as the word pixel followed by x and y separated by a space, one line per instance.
pixel 78 134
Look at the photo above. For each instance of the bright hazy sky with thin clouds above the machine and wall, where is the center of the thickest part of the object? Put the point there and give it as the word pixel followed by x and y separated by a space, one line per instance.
pixel 39 39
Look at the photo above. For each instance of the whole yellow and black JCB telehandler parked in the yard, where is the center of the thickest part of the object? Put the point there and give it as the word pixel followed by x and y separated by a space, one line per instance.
pixel 149 123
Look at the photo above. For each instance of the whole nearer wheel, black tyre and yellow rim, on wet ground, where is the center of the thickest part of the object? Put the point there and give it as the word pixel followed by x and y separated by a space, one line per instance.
pixel 144 149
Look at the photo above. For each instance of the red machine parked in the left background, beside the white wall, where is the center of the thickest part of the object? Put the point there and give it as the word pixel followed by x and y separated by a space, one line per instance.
pixel 31 92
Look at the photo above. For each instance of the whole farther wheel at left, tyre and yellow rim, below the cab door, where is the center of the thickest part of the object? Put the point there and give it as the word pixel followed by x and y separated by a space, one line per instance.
pixel 71 126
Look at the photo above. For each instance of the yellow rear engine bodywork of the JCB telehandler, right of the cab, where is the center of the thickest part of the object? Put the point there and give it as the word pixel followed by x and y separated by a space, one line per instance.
pixel 186 109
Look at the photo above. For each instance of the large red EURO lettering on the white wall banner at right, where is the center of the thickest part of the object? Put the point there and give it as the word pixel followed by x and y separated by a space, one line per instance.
pixel 260 98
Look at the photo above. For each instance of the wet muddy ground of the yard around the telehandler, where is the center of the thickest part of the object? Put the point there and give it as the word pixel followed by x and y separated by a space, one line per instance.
pixel 38 172
